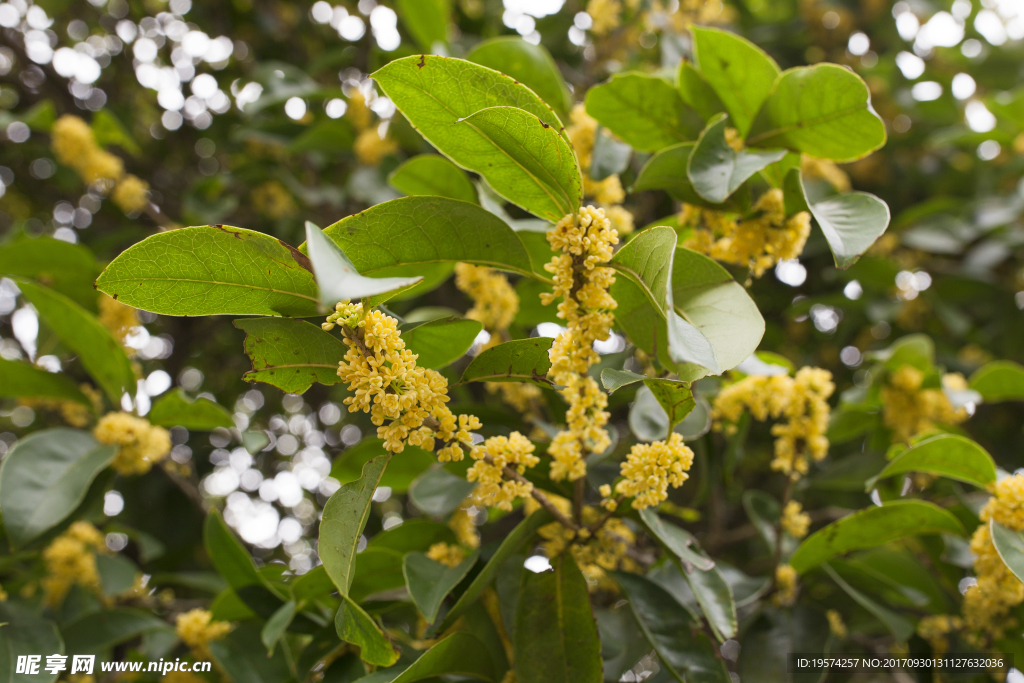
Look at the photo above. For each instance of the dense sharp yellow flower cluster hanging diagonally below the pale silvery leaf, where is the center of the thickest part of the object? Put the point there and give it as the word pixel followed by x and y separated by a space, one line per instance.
pixel 400 396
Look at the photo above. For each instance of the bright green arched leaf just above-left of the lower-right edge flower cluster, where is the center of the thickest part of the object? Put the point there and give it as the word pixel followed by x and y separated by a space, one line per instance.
pixel 947 455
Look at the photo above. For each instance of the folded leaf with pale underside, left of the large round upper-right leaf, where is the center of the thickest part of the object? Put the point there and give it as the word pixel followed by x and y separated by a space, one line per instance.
pixel 717 170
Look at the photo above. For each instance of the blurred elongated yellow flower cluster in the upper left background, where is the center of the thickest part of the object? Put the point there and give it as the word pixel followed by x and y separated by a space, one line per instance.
pixel 74 144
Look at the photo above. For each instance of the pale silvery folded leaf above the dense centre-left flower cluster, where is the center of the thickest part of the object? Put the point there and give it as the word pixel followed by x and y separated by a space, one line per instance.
pixel 337 278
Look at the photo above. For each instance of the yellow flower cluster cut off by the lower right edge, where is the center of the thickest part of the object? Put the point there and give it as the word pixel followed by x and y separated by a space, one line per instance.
pixel 988 605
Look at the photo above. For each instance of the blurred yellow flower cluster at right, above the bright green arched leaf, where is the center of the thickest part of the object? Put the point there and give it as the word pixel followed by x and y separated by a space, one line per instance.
pixel 910 410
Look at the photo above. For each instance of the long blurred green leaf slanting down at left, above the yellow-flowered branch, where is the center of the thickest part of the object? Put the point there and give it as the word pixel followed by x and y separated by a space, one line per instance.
pixel 102 356
